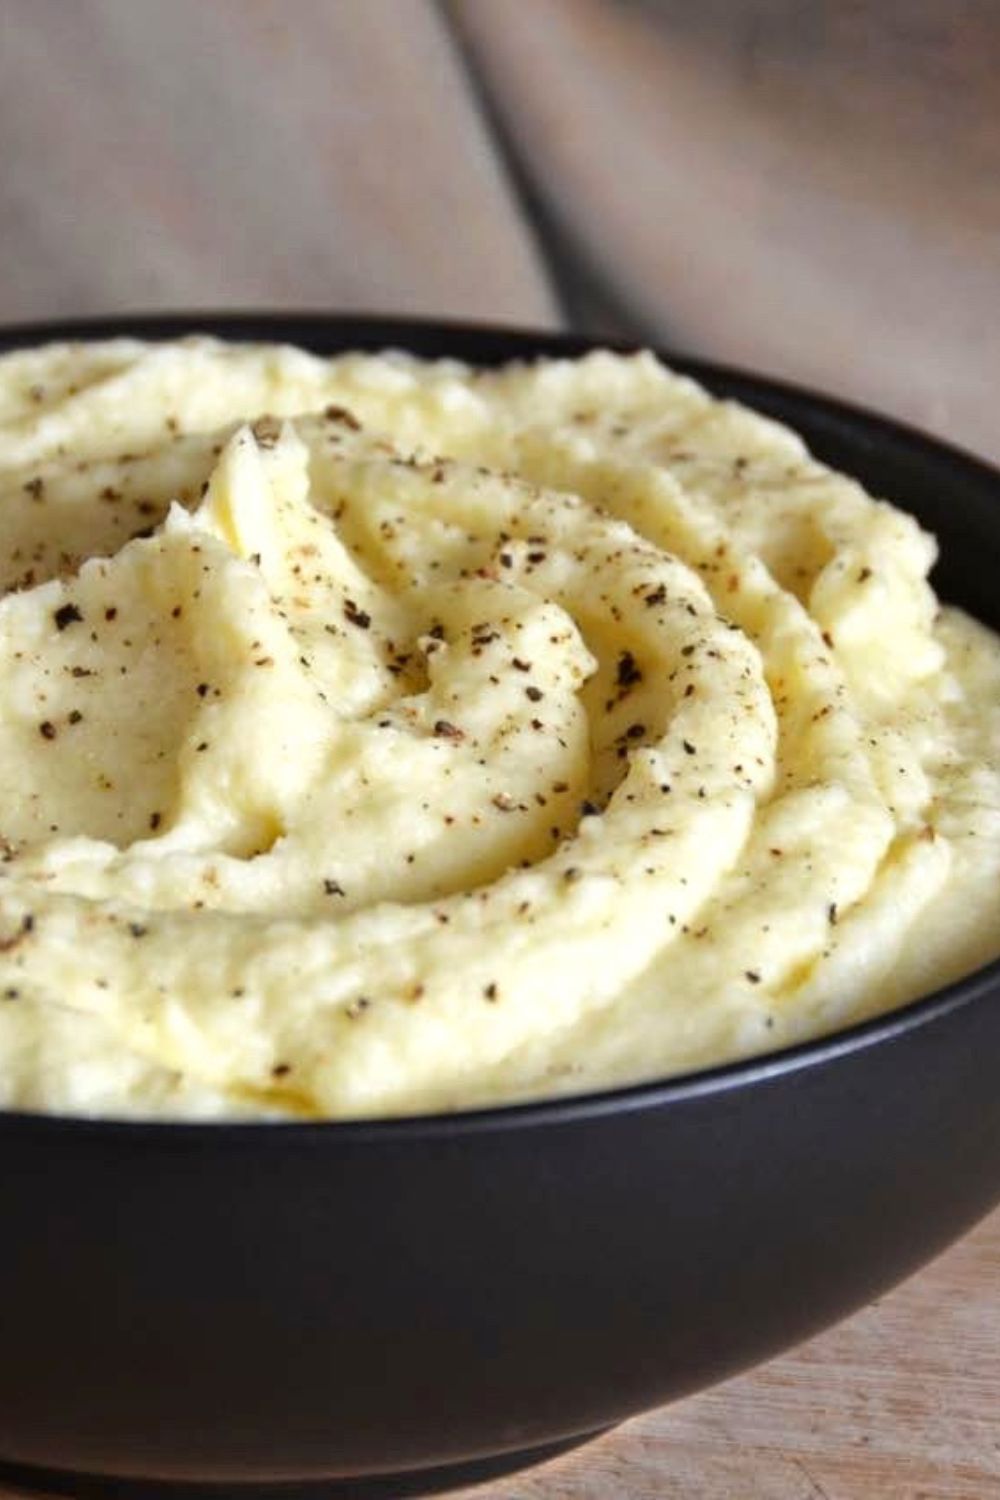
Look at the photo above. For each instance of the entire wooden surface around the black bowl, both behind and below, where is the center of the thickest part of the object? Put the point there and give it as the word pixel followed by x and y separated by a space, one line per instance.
pixel 804 188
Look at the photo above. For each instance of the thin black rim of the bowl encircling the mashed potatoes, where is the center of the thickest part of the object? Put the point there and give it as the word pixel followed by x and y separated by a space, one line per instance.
pixel 525 343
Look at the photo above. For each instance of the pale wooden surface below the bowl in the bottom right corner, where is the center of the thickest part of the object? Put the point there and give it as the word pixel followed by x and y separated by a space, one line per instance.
pixel 900 1403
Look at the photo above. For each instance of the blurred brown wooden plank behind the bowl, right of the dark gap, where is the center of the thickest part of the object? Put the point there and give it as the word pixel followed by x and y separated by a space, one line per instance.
pixel 812 190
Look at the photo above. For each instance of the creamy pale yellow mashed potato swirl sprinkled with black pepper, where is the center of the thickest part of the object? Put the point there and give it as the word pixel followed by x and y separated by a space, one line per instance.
pixel 383 737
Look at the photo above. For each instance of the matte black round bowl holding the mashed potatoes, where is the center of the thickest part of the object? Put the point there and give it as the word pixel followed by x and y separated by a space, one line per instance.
pixel 433 1300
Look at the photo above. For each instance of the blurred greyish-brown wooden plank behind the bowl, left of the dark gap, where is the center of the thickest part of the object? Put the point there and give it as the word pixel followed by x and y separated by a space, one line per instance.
pixel 251 154
